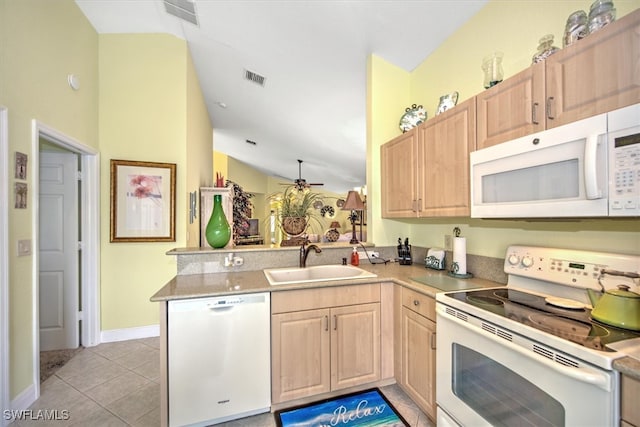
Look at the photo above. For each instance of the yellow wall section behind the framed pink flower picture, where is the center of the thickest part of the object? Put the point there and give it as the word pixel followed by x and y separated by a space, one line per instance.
pixel 140 73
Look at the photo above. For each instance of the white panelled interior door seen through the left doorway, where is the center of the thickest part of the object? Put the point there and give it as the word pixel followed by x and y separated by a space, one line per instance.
pixel 58 251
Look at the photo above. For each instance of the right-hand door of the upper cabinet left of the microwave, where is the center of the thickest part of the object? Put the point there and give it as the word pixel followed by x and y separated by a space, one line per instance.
pixel 444 144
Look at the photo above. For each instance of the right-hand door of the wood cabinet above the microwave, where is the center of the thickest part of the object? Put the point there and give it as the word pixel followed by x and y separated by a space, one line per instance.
pixel 599 73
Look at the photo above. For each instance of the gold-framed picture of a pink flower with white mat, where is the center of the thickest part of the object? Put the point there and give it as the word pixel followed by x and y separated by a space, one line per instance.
pixel 143 201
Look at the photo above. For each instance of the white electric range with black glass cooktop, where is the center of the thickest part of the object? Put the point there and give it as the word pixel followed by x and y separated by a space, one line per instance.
pixel 529 353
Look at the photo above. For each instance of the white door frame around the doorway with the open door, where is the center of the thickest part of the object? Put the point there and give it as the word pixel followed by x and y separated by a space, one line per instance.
pixel 90 225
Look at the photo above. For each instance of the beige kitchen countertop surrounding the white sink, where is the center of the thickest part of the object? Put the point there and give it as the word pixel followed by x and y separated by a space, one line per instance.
pixel 242 282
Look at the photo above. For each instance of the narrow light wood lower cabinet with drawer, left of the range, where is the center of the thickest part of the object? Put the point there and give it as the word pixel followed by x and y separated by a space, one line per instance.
pixel 419 350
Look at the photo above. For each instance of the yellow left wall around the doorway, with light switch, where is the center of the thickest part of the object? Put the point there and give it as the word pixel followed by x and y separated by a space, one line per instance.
pixel 41 41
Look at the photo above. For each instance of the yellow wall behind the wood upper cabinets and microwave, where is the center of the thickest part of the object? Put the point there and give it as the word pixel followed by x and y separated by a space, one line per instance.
pixel 513 28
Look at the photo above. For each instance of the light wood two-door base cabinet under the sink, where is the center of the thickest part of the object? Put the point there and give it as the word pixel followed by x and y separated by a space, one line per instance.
pixel 318 350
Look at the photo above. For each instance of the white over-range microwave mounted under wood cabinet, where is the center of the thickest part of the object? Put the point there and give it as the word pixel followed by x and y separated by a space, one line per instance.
pixel 589 168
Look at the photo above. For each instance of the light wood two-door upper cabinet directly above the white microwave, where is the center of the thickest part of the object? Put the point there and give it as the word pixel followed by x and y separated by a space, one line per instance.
pixel 592 76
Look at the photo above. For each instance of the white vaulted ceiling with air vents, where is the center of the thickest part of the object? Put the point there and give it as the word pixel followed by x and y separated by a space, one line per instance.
pixel 313 55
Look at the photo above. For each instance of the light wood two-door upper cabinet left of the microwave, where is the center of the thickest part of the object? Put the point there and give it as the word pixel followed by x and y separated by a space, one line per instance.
pixel 425 172
